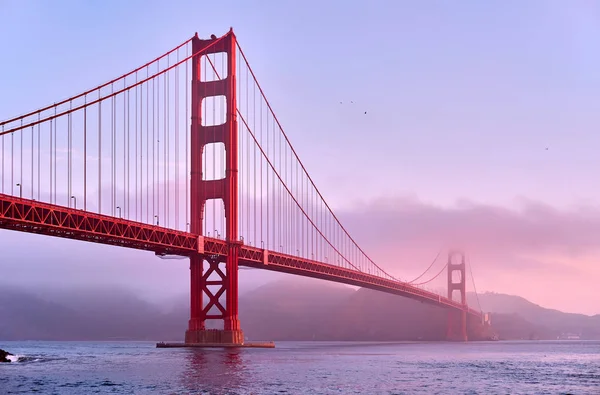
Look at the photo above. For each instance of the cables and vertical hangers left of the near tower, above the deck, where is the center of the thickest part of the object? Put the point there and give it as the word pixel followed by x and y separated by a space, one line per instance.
pixel 119 149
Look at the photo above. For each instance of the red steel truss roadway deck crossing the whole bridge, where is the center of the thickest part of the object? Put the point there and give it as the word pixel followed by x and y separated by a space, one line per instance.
pixel 31 216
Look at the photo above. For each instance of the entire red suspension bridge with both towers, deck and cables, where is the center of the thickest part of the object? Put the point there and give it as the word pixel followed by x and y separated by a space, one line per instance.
pixel 185 156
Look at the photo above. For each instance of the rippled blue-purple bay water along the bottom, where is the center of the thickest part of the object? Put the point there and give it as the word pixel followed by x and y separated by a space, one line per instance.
pixel 305 368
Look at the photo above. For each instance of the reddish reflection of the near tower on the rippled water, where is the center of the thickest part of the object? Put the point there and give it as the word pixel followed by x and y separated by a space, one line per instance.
pixel 214 371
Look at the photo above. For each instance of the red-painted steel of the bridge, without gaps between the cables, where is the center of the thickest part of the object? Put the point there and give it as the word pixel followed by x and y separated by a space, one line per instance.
pixel 49 219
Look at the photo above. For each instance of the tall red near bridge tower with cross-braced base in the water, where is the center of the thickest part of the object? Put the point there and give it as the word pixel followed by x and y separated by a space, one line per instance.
pixel 202 190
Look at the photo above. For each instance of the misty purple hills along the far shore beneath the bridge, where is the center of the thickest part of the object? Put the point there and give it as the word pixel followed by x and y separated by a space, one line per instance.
pixel 289 310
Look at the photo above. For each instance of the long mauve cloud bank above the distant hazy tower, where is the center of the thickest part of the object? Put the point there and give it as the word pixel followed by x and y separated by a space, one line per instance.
pixel 533 228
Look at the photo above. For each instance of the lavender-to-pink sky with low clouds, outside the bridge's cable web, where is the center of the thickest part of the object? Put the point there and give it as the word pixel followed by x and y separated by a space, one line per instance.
pixel 481 127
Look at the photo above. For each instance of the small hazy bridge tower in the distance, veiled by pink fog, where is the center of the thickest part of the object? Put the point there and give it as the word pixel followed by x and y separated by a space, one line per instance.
pixel 457 319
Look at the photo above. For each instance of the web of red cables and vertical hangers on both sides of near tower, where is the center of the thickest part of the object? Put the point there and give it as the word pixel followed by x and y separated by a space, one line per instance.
pixel 123 149
